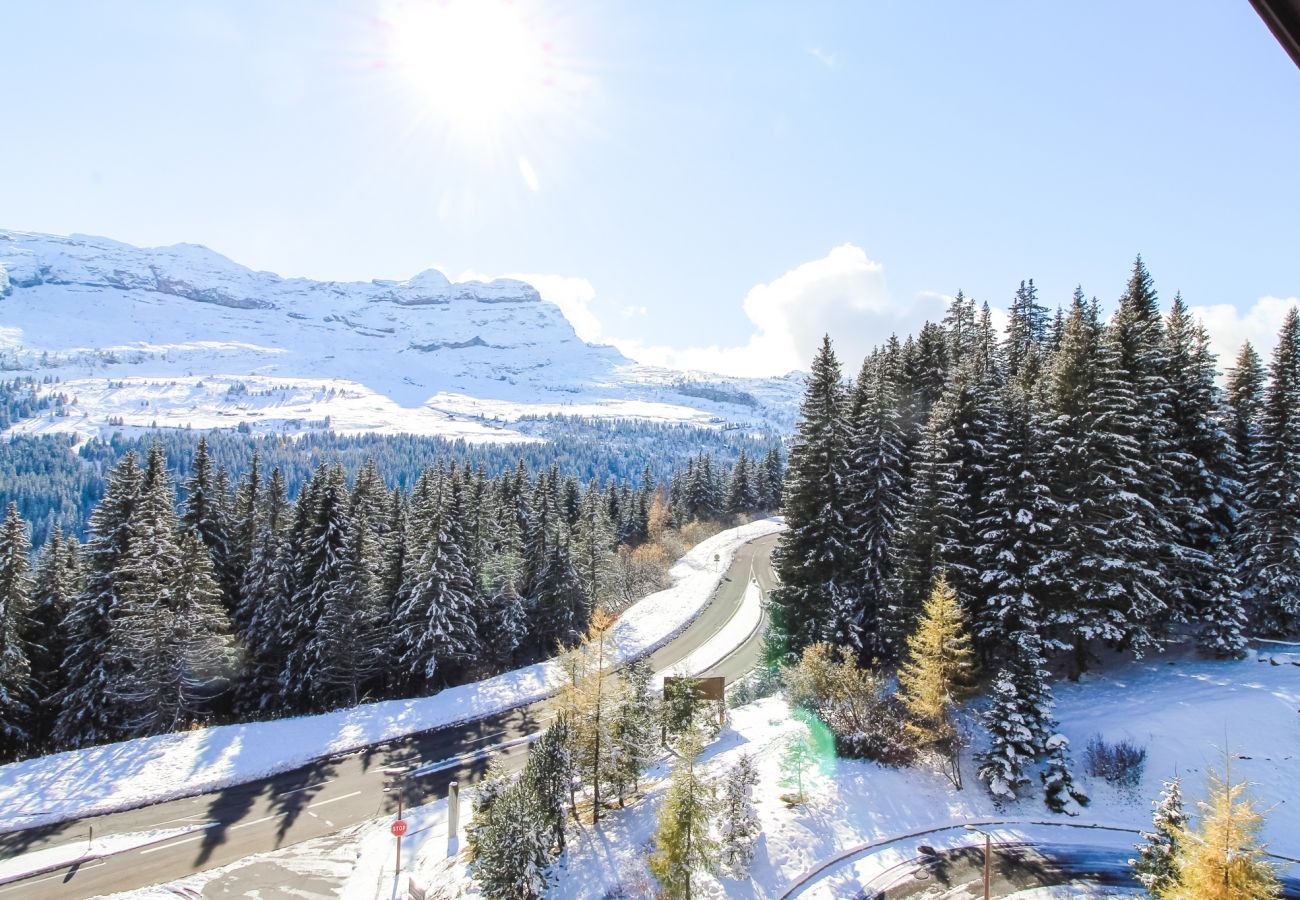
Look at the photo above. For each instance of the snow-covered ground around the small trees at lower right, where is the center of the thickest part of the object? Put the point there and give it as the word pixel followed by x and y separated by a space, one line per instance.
pixel 1178 707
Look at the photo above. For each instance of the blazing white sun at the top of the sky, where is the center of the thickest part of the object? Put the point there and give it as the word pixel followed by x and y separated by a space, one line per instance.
pixel 482 67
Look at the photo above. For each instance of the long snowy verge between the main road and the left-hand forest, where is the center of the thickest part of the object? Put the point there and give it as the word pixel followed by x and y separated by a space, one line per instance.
pixel 128 774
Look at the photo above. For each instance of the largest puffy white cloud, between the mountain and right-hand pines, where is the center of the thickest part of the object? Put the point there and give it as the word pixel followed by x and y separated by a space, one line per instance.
pixel 843 295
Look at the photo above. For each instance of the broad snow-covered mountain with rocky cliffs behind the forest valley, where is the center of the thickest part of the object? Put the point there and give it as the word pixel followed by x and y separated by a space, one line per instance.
pixel 183 336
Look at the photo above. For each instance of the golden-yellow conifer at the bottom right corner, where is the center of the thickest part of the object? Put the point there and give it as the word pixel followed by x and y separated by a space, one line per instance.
pixel 1224 859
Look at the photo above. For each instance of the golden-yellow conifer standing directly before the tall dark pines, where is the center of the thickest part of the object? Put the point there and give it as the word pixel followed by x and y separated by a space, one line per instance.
pixel 938 674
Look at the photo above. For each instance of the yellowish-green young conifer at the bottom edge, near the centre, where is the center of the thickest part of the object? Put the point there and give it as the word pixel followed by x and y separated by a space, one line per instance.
pixel 684 843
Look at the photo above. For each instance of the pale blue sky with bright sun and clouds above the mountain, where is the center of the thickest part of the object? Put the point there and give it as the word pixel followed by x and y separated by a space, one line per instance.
pixel 703 185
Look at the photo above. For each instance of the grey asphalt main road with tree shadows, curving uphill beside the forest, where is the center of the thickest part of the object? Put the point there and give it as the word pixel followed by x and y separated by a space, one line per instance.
pixel 331 794
